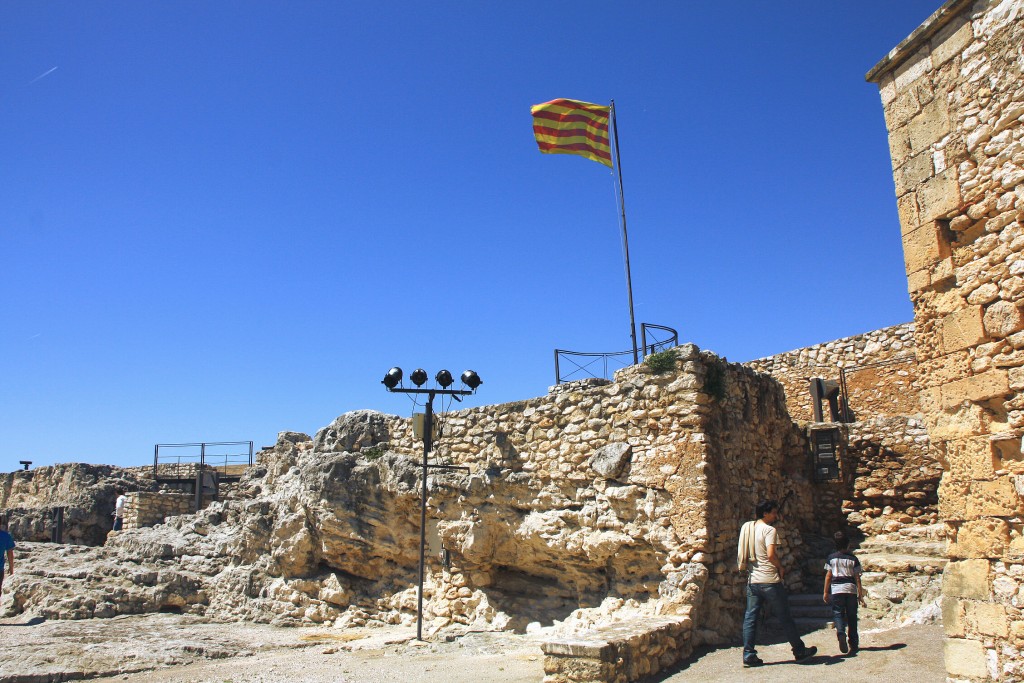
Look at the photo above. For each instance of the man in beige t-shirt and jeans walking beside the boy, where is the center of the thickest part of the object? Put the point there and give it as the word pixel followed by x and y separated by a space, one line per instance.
pixel 765 584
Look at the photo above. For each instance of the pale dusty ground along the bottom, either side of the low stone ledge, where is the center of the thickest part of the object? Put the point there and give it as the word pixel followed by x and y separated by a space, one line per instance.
pixel 166 649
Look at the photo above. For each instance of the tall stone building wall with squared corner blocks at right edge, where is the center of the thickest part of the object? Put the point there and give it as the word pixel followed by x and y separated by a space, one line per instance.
pixel 954 101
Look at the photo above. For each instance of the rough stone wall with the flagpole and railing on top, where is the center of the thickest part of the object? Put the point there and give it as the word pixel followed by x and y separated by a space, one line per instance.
pixel 702 445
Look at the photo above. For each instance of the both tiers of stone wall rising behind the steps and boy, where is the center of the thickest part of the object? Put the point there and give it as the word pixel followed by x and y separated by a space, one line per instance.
pixel 889 477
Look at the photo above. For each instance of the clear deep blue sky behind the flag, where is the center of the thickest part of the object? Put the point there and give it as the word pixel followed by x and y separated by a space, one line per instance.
pixel 226 220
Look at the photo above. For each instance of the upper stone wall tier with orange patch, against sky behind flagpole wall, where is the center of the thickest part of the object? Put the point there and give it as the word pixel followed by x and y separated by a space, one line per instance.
pixel 873 390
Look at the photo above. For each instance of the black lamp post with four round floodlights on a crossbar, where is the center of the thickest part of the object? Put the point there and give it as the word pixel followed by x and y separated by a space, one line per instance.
pixel 393 382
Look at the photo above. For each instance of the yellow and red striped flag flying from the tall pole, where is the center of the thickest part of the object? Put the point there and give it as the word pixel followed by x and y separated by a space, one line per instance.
pixel 572 127
